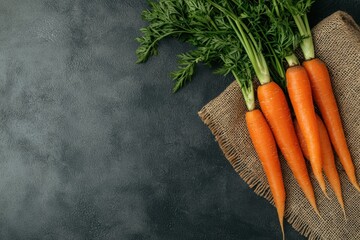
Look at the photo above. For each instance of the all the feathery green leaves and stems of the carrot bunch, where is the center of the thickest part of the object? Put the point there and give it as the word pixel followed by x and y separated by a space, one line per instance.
pixel 231 35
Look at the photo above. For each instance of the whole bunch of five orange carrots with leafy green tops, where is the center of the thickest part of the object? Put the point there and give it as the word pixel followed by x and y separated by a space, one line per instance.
pixel 254 38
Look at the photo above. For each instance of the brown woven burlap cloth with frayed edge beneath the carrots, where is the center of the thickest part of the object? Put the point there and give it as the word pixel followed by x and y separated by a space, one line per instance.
pixel 337 43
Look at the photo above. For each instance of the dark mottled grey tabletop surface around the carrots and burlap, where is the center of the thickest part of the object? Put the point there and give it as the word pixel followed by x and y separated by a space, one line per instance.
pixel 94 146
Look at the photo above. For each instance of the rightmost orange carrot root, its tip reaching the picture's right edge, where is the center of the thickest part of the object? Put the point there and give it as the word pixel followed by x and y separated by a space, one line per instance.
pixel 325 100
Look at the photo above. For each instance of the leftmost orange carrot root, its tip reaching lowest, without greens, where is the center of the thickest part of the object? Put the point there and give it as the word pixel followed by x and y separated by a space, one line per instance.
pixel 265 146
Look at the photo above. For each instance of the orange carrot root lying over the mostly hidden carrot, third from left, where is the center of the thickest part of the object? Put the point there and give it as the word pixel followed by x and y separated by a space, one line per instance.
pixel 299 90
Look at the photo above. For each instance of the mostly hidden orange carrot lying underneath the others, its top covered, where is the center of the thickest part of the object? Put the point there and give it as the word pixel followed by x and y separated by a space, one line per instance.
pixel 327 156
